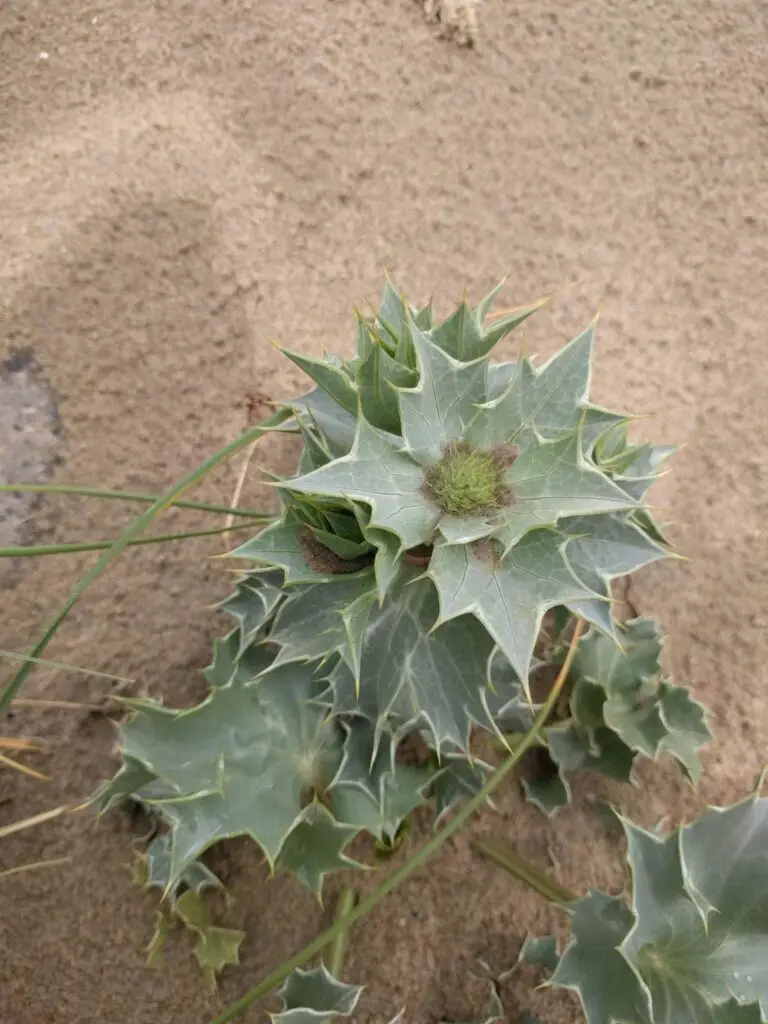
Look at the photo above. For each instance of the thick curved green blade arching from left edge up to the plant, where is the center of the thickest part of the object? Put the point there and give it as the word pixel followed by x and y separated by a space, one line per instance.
pixel 132 533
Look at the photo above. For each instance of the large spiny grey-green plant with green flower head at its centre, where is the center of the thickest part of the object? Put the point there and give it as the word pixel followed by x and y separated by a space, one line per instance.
pixel 444 503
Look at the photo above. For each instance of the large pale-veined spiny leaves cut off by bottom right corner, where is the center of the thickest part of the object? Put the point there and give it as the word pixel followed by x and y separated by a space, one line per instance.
pixel 692 946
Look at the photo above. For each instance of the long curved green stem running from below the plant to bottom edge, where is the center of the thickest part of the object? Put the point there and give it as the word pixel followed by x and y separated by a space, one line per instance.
pixel 431 848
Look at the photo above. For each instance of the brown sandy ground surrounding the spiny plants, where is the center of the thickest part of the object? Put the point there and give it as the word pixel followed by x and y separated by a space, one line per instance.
pixel 182 182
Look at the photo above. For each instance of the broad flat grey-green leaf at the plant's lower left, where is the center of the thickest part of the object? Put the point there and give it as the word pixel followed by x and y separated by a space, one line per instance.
pixel 238 764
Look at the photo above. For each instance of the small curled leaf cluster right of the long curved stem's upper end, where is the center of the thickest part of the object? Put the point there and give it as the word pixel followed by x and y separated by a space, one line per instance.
pixel 622 706
